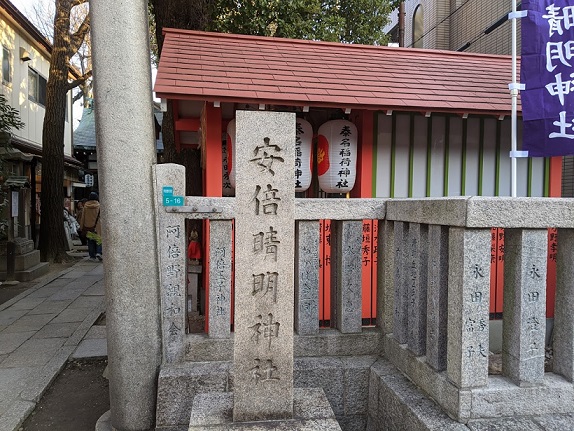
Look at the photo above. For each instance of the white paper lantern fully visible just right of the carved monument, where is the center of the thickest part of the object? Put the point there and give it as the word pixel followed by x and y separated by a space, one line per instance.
pixel 337 156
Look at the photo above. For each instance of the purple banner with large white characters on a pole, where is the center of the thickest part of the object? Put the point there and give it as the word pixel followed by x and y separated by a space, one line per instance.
pixel 547 70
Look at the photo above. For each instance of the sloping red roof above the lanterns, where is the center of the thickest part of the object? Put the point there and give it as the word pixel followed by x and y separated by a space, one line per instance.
pixel 252 69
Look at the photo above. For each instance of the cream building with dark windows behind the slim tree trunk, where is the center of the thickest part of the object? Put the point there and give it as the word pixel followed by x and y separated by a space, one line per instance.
pixel 25 56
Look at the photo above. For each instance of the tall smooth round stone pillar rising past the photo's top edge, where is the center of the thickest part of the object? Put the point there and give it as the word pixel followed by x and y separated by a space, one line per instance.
pixel 126 151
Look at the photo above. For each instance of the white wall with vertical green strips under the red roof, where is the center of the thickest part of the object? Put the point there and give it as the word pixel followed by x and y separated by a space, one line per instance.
pixel 468 156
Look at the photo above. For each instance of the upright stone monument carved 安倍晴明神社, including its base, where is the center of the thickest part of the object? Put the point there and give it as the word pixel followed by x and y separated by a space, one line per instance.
pixel 264 290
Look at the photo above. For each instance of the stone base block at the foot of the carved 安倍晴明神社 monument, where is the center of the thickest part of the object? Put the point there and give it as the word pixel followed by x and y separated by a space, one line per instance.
pixel 311 412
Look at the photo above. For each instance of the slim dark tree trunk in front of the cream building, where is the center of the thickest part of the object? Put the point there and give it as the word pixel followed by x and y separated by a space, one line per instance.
pixel 66 44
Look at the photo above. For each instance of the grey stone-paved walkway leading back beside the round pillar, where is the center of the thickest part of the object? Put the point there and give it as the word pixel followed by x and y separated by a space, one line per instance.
pixel 41 329
